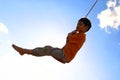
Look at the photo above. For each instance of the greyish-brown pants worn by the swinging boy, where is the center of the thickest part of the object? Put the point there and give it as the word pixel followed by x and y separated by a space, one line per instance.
pixel 57 53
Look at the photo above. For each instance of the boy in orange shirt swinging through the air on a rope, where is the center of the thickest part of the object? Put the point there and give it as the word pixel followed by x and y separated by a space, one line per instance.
pixel 74 42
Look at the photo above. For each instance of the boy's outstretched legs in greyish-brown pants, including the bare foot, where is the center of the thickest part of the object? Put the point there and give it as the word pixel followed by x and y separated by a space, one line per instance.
pixel 56 53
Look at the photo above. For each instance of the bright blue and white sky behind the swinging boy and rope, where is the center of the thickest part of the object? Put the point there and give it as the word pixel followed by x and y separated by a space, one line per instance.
pixel 36 23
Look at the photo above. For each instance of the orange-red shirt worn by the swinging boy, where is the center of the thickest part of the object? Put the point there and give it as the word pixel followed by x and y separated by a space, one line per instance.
pixel 73 44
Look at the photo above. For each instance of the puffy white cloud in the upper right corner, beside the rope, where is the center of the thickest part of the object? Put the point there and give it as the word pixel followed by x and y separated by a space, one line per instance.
pixel 110 17
